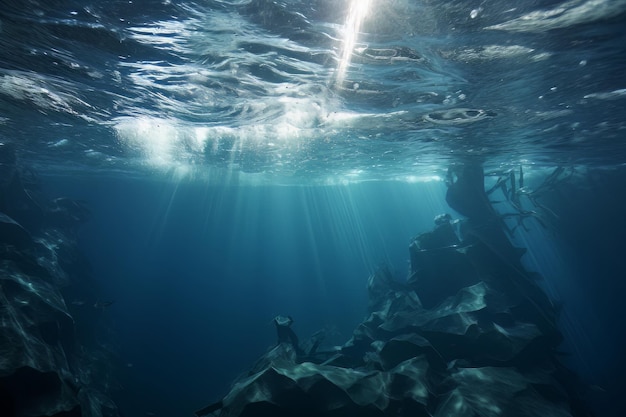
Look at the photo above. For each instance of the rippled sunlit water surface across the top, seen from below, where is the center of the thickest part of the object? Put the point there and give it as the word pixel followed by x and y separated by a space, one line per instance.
pixel 311 91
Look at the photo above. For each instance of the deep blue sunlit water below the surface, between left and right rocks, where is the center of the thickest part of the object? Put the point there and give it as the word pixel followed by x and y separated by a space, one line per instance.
pixel 197 273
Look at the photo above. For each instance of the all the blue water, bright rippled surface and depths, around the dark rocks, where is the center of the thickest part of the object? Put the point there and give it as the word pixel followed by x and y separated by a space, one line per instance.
pixel 243 159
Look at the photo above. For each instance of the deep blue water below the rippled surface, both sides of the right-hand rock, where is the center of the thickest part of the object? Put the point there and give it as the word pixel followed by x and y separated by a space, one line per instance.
pixel 197 272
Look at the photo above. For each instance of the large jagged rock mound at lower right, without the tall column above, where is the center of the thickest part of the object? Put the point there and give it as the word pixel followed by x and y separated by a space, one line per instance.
pixel 467 335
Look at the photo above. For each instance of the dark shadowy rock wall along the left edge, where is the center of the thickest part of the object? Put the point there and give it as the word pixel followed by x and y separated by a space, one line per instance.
pixel 41 373
